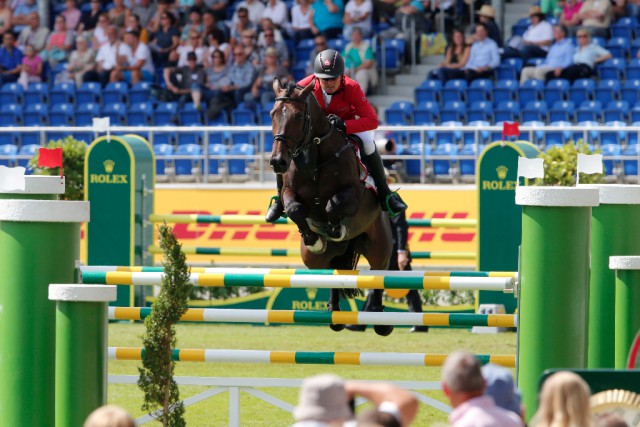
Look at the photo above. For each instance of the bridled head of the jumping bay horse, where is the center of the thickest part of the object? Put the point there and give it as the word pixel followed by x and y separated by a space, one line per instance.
pixel 291 123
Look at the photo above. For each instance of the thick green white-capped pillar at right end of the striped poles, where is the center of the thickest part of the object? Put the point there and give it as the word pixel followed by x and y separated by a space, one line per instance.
pixel 554 282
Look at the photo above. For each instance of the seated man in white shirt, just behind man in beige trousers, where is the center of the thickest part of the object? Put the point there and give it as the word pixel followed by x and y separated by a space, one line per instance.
pixel 535 41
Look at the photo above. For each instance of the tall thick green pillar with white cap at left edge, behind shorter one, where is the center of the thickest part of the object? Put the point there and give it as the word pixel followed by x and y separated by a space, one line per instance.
pixel 39 244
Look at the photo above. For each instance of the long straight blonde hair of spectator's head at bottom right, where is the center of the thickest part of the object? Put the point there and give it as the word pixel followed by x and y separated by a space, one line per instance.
pixel 564 401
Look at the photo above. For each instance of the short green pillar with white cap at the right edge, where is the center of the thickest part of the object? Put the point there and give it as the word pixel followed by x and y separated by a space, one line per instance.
pixel 627 307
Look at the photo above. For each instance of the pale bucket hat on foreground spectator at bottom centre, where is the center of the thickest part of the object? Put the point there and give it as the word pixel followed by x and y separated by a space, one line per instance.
pixel 322 398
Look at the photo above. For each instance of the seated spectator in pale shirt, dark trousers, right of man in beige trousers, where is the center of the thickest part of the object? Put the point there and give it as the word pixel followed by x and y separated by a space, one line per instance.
pixel 584 60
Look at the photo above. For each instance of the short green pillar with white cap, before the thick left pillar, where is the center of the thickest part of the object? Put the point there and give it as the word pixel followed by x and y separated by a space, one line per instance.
pixel 81 350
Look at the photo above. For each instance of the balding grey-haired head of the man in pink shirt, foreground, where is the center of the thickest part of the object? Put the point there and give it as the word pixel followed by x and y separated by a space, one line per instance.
pixel 461 377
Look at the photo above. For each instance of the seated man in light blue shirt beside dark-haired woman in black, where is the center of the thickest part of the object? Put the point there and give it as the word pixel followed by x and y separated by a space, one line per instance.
pixel 483 59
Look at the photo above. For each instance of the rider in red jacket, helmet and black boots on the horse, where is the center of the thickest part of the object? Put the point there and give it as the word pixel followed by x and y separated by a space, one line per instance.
pixel 342 99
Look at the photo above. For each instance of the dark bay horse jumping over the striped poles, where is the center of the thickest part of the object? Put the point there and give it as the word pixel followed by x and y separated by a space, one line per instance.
pixel 338 218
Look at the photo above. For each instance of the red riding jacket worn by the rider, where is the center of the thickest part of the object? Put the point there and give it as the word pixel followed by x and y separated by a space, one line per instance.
pixel 347 103
